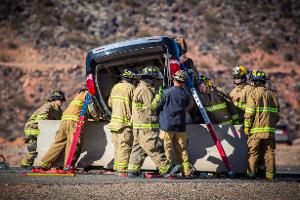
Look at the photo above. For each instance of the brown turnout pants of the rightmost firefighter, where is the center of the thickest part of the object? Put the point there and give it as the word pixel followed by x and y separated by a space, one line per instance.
pixel 261 146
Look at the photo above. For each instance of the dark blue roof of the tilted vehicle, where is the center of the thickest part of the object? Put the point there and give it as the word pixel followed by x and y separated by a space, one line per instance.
pixel 133 47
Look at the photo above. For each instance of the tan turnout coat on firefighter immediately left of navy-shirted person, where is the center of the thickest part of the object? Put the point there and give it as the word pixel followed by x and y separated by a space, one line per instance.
pixel 144 104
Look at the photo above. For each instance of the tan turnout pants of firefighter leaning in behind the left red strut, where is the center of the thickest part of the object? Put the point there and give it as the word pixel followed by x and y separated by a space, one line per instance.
pixel 63 141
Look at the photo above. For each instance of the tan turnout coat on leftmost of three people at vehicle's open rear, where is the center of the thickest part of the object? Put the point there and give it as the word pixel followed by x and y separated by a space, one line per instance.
pixel 120 100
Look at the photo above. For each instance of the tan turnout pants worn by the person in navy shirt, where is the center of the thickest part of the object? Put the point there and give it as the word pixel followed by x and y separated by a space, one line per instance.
pixel 179 142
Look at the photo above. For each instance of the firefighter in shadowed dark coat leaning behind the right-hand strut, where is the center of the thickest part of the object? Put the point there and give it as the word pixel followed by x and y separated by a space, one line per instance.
pixel 216 101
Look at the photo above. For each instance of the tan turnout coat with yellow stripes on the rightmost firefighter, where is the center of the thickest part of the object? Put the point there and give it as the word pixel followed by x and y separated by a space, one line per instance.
pixel 262 111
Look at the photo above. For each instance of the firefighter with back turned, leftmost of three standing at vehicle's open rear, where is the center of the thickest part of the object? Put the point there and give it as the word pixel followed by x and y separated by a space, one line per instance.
pixel 120 101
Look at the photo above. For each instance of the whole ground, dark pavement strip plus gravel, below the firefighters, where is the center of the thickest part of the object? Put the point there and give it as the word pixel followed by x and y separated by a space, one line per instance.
pixel 95 186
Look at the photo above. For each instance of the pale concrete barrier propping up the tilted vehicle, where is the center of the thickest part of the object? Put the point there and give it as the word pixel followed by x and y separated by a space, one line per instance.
pixel 97 149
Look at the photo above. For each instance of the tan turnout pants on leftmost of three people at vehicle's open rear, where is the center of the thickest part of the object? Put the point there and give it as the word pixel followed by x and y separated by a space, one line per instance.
pixel 123 141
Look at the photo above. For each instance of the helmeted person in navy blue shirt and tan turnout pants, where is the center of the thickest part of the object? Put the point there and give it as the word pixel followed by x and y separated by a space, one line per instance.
pixel 173 122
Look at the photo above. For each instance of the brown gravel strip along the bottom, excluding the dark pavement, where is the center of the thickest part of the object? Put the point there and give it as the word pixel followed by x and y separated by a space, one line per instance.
pixel 202 189
